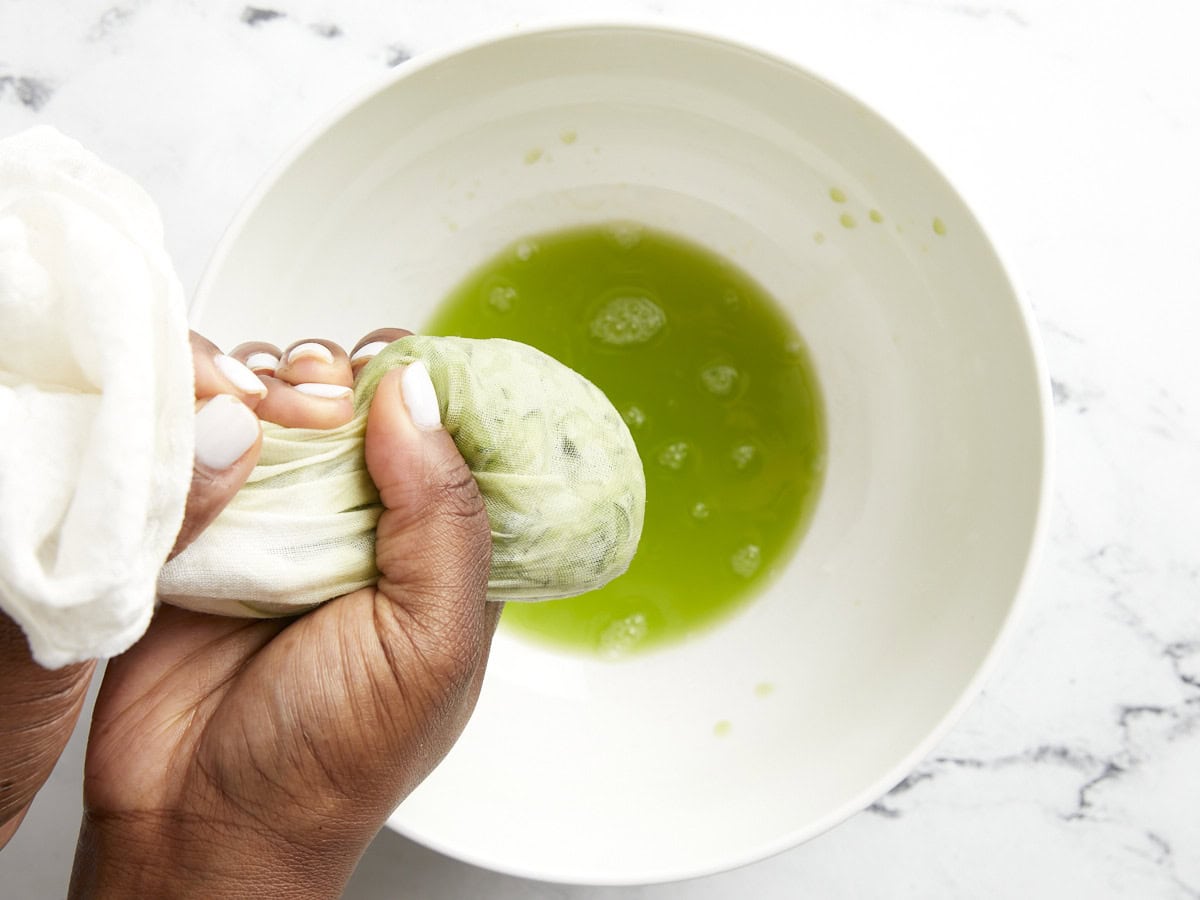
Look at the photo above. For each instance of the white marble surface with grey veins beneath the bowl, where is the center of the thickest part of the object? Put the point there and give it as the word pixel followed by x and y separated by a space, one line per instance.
pixel 1073 129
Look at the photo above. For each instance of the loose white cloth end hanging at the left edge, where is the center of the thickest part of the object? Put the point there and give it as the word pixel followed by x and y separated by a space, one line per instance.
pixel 97 400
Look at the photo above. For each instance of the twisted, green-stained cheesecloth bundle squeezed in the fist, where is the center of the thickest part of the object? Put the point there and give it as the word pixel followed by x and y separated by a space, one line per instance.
pixel 556 465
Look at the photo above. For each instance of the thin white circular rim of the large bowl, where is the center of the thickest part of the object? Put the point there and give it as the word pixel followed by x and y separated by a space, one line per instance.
pixel 668 28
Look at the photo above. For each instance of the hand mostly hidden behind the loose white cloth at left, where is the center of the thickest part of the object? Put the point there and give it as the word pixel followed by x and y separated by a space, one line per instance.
pixel 39 707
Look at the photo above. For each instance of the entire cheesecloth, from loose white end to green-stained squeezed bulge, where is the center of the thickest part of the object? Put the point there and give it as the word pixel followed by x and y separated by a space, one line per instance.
pixel 98 406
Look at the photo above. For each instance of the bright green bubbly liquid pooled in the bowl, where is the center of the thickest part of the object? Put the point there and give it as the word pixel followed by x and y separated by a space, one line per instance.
pixel 718 391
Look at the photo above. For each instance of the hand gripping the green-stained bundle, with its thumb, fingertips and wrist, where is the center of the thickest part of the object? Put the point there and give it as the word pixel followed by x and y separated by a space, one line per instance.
pixel 233 757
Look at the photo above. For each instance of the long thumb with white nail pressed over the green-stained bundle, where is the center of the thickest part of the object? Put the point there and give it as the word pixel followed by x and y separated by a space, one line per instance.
pixel 434 543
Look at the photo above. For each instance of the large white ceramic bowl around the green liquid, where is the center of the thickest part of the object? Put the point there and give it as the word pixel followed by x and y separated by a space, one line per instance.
pixel 877 635
